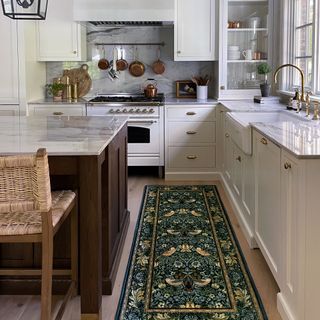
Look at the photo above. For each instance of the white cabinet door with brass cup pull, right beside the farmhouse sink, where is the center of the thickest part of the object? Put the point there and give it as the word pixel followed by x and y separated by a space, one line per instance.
pixel 268 224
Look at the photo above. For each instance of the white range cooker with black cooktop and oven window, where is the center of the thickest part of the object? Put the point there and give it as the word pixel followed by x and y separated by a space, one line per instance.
pixel 145 125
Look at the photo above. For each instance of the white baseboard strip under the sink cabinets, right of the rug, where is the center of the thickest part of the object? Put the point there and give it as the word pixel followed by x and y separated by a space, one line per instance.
pixel 239 214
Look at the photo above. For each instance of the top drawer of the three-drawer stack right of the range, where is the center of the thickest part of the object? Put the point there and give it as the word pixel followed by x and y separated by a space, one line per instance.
pixel 191 113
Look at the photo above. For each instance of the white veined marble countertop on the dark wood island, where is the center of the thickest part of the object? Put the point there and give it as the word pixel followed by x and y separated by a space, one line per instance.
pixel 63 135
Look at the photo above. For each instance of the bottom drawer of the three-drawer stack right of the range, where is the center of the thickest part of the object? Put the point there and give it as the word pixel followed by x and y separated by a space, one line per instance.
pixel 191 157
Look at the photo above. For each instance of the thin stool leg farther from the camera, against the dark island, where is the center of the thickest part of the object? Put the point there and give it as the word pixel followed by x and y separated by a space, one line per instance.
pixel 74 247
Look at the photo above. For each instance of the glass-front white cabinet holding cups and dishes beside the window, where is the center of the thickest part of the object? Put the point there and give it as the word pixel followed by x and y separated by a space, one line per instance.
pixel 245 37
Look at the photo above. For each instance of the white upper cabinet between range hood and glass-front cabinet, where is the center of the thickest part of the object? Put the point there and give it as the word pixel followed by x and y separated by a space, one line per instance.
pixel 195 30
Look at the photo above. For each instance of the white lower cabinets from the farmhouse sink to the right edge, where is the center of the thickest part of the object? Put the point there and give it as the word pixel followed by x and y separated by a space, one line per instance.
pixel 287 226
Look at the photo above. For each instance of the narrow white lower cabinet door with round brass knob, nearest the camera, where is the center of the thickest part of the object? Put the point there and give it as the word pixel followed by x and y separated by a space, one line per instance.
pixel 293 242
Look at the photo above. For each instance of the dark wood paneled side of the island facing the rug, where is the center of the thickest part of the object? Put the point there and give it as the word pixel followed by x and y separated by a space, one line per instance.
pixel 116 201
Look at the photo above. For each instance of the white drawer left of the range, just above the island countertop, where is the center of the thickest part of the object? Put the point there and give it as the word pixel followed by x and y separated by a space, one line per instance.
pixel 49 110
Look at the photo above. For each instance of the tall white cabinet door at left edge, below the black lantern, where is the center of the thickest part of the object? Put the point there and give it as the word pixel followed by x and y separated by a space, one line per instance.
pixel 9 84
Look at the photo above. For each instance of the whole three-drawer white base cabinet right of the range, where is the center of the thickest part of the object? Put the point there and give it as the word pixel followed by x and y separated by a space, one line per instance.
pixel 190 142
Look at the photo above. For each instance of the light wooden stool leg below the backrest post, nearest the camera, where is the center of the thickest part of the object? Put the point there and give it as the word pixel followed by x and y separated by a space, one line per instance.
pixel 47 261
